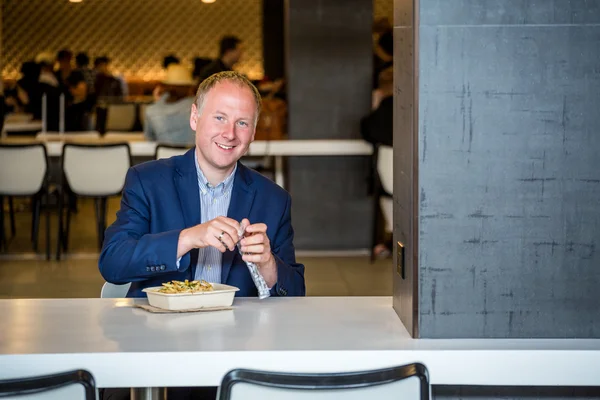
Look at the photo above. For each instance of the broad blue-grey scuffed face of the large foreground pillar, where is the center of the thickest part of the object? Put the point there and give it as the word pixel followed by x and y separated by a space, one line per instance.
pixel 509 172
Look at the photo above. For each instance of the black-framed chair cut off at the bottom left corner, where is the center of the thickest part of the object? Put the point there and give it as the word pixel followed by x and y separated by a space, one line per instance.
pixel 38 385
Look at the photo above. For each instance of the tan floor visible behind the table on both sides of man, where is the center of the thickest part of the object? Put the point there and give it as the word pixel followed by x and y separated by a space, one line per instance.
pixel 77 275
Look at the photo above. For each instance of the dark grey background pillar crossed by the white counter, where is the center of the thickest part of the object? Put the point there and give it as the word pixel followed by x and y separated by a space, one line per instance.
pixel 329 67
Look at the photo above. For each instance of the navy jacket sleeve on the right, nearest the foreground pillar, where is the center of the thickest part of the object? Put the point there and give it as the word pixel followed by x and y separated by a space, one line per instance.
pixel 290 274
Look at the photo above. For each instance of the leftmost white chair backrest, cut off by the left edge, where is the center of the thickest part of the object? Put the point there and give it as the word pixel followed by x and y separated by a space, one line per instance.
pixel 22 168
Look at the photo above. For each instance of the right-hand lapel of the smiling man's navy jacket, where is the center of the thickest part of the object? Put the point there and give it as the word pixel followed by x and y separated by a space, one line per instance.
pixel 242 197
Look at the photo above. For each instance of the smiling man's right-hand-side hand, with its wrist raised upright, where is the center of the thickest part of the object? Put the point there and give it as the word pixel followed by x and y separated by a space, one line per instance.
pixel 257 249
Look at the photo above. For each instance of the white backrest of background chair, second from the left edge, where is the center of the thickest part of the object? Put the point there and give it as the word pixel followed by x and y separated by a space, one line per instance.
pixel 96 170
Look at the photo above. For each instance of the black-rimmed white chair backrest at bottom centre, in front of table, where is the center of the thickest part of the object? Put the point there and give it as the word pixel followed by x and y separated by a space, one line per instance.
pixel 405 382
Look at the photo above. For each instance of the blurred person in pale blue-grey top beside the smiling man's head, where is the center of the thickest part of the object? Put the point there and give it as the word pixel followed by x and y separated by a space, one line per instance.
pixel 167 120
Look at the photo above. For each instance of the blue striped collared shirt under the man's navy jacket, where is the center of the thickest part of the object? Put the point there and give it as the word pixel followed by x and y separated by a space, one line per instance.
pixel 214 202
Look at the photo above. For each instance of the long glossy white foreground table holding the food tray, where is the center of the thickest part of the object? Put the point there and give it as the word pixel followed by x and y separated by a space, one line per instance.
pixel 127 347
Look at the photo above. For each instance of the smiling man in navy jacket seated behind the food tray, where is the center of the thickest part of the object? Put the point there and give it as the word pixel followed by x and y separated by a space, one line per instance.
pixel 179 217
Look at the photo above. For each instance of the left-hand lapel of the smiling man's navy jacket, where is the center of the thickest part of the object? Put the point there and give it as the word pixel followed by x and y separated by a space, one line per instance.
pixel 186 183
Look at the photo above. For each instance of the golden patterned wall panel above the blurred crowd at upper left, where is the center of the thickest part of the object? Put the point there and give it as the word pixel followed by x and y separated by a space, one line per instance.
pixel 135 34
